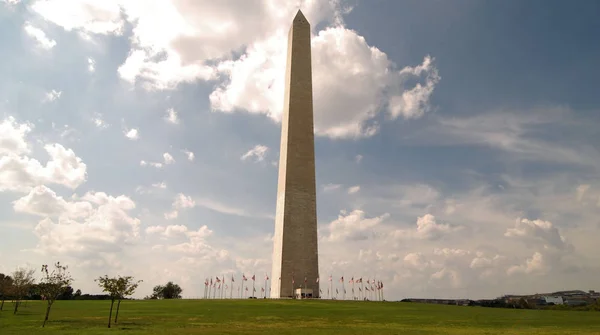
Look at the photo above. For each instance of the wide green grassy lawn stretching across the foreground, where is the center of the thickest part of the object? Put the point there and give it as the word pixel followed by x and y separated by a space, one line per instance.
pixel 290 317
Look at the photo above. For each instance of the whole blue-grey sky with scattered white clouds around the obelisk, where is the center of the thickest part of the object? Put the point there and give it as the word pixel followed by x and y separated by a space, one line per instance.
pixel 457 142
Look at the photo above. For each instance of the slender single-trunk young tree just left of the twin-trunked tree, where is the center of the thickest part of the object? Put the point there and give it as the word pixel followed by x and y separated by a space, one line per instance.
pixel 53 284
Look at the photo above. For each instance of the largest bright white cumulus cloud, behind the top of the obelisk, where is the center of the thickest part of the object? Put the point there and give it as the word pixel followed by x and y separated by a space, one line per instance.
pixel 176 42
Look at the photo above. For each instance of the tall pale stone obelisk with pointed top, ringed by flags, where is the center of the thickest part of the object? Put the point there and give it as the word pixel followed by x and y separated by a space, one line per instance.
pixel 295 251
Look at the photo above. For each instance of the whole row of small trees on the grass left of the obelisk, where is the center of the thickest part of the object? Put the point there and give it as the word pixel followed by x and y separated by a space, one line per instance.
pixel 55 284
